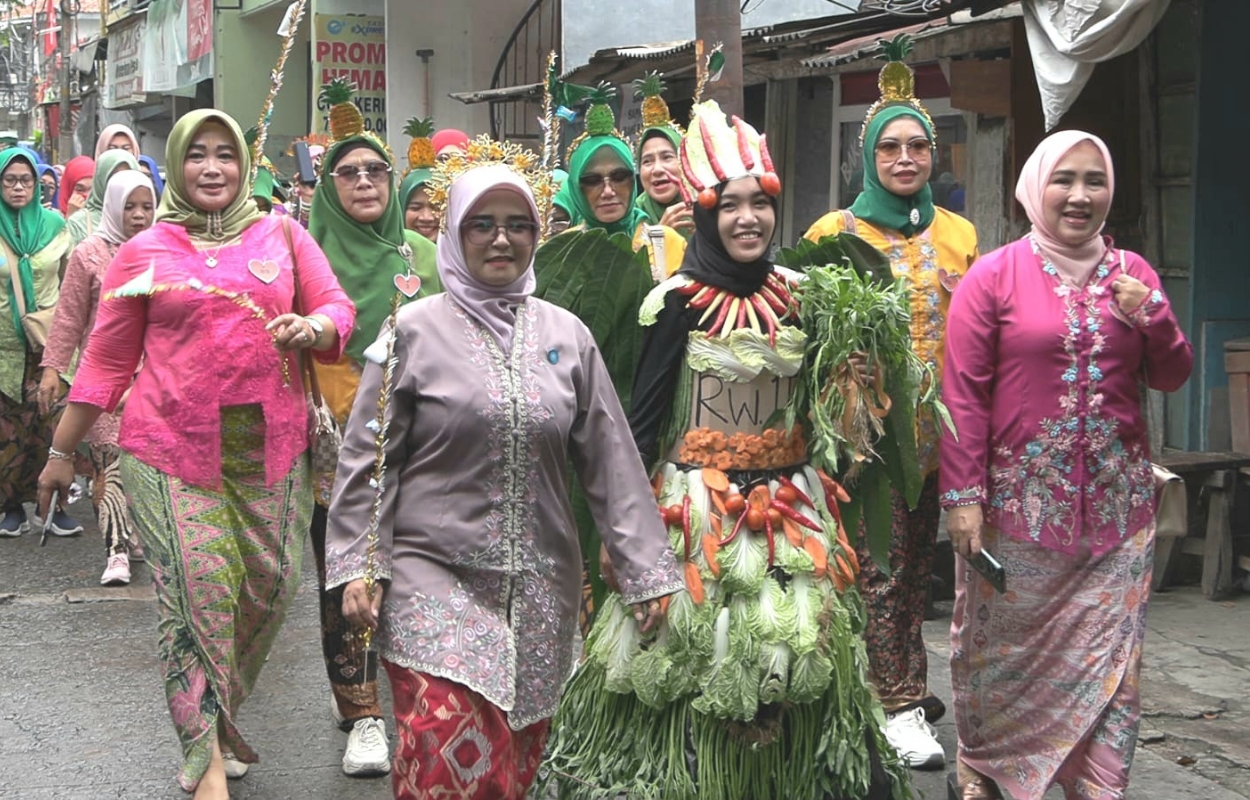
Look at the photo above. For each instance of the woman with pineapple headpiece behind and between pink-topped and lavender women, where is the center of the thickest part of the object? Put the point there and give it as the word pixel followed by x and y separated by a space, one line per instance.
pixel 358 221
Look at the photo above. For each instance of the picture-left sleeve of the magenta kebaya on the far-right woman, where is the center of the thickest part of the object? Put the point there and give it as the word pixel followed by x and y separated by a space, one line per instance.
pixel 968 383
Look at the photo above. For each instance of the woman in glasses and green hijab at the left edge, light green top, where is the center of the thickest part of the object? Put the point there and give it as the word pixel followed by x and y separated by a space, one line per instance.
pixel 33 241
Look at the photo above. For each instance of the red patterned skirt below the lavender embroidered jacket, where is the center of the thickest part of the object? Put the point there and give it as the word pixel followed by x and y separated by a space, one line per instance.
pixel 456 744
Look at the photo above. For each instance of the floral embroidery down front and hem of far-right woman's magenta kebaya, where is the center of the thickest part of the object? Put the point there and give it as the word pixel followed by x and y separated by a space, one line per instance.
pixel 1036 486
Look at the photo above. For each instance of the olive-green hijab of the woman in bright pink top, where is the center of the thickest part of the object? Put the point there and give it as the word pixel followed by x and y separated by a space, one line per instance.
pixel 176 204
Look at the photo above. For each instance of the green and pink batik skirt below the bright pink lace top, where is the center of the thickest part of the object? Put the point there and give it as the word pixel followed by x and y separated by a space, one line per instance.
pixel 226 566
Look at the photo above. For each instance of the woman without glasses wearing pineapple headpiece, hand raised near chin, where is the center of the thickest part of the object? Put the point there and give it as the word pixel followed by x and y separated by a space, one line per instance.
pixel 659 167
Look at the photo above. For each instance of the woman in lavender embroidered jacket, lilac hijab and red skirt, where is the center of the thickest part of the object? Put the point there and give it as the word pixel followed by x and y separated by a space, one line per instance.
pixel 477 556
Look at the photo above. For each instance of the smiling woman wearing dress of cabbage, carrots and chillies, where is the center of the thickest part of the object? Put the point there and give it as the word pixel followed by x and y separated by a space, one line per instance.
pixel 754 686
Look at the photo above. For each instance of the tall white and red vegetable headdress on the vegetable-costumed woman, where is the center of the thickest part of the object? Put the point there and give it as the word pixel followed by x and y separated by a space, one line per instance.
pixel 714 153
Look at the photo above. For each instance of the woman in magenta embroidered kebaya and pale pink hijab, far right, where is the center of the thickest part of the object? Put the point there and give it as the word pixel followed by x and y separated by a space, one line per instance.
pixel 1048 344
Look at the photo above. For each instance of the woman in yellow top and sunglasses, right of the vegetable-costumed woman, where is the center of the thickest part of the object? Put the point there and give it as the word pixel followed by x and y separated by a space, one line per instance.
pixel 932 248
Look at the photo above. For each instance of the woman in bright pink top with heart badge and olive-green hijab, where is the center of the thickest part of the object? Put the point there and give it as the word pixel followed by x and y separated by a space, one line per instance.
pixel 214 434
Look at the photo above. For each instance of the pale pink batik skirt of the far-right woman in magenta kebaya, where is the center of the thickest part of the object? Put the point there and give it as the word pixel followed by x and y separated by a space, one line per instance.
pixel 1046 677
